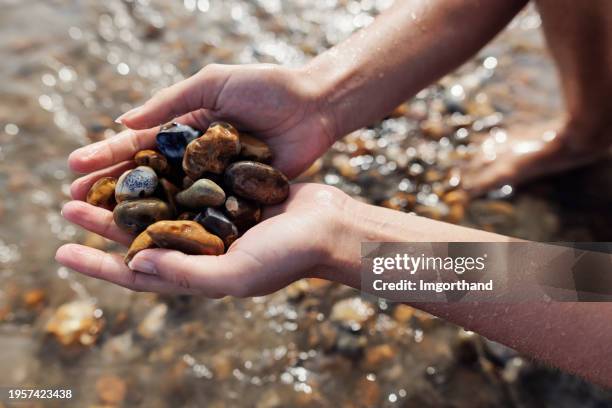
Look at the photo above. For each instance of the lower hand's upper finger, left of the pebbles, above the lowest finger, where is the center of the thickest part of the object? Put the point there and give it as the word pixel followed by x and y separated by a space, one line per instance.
pixel 95 219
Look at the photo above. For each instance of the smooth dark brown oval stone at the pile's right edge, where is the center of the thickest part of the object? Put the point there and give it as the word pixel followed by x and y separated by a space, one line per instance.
pixel 258 182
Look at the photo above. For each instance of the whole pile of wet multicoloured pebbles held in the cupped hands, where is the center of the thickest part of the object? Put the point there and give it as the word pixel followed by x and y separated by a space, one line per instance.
pixel 224 180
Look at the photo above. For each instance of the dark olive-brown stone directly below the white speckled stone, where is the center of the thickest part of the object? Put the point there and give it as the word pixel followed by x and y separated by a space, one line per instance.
pixel 135 216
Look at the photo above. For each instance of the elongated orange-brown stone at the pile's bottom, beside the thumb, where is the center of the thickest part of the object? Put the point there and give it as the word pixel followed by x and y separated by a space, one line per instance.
pixel 185 236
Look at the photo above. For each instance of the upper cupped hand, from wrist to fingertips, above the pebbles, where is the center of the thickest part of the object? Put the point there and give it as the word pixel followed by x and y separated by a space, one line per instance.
pixel 279 105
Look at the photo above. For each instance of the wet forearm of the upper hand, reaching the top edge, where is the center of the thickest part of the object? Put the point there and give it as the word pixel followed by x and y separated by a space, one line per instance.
pixel 406 48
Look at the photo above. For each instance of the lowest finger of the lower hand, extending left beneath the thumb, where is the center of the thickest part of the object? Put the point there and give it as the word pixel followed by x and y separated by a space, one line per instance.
pixel 111 268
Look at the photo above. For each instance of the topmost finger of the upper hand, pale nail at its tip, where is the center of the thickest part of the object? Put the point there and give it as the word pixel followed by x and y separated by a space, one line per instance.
pixel 196 92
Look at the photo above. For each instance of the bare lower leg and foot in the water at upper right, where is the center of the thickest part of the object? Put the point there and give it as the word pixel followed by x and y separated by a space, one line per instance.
pixel 579 35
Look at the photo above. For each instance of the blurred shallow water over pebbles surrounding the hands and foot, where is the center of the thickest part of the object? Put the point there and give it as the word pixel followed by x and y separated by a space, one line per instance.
pixel 67 68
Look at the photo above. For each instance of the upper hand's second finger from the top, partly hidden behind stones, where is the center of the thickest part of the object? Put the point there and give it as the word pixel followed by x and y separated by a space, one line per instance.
pixel 124 145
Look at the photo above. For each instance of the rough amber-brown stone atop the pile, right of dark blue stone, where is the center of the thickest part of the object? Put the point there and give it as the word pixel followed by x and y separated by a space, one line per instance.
pixel 212 151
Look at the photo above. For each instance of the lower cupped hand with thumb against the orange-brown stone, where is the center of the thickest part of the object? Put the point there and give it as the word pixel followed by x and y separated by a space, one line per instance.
pixel 295 240
